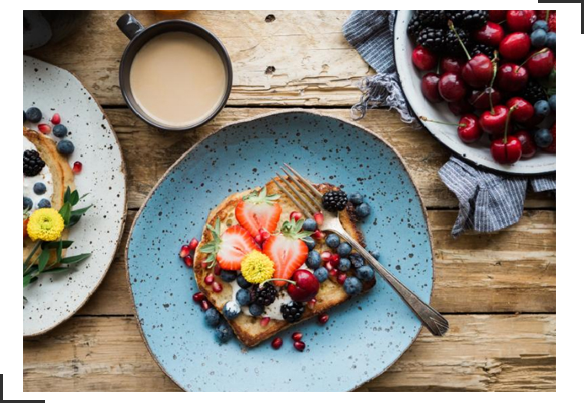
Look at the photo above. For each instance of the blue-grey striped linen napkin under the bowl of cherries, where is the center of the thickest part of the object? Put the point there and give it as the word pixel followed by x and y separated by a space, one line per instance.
pixel 488 202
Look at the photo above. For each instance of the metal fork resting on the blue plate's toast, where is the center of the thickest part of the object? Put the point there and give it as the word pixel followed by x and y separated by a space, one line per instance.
pixel 308 200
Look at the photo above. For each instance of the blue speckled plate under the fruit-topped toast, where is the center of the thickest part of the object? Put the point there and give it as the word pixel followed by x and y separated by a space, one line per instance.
pixel 363 337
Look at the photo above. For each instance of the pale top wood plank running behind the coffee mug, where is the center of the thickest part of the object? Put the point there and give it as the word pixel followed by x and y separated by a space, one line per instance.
pixel 309 61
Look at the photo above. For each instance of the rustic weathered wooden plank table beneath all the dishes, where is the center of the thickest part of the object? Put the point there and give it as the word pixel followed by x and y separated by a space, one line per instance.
pixel 498 290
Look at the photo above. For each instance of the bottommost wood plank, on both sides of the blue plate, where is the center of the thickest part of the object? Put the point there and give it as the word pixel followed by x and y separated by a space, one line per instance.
pixel 480 353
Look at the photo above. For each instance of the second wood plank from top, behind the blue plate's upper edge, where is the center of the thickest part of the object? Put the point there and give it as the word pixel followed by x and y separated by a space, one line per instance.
pixel 423 154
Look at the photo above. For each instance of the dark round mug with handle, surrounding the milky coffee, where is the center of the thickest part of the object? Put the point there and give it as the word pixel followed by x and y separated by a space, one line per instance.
pixel 139 36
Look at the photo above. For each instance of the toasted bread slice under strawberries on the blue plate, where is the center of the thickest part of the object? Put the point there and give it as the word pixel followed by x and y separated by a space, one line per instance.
pixel 248 328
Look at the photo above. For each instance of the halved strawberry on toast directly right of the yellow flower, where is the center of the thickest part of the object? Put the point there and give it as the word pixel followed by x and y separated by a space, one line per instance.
pixel 287 250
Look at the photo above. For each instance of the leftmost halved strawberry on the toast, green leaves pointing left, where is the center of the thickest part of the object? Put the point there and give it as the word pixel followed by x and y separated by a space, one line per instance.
pixel 228 249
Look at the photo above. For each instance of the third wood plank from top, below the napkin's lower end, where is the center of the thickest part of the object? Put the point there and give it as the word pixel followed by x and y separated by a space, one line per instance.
pixel 510 271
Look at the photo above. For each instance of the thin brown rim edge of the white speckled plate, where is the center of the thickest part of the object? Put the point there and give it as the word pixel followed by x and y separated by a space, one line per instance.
pixel 118 241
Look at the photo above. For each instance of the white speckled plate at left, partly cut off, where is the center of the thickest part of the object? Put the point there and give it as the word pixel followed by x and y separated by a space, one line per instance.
pixel 53 299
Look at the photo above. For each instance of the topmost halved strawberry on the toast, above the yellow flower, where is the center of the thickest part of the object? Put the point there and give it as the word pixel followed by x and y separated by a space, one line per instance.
pixel 258 211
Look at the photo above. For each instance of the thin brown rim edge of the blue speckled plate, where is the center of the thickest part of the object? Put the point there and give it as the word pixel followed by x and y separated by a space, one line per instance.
pixel 247 120
